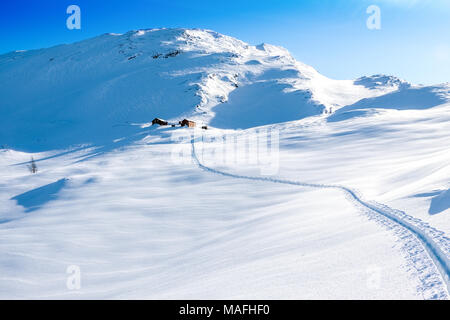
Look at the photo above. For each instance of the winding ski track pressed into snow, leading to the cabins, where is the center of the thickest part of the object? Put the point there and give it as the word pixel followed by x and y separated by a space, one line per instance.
pixel 427 249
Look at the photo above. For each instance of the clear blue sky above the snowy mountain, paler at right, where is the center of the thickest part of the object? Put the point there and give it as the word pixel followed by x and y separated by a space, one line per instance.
pixel 331 35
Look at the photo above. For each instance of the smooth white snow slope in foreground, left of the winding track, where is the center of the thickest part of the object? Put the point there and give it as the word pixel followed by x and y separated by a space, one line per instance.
pixel 140 226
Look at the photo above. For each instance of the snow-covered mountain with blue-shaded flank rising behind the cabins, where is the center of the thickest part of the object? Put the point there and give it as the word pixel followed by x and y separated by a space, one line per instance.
pixel 105 88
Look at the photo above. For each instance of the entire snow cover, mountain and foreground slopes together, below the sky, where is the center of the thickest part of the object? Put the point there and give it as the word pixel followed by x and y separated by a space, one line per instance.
pixel 349 198
